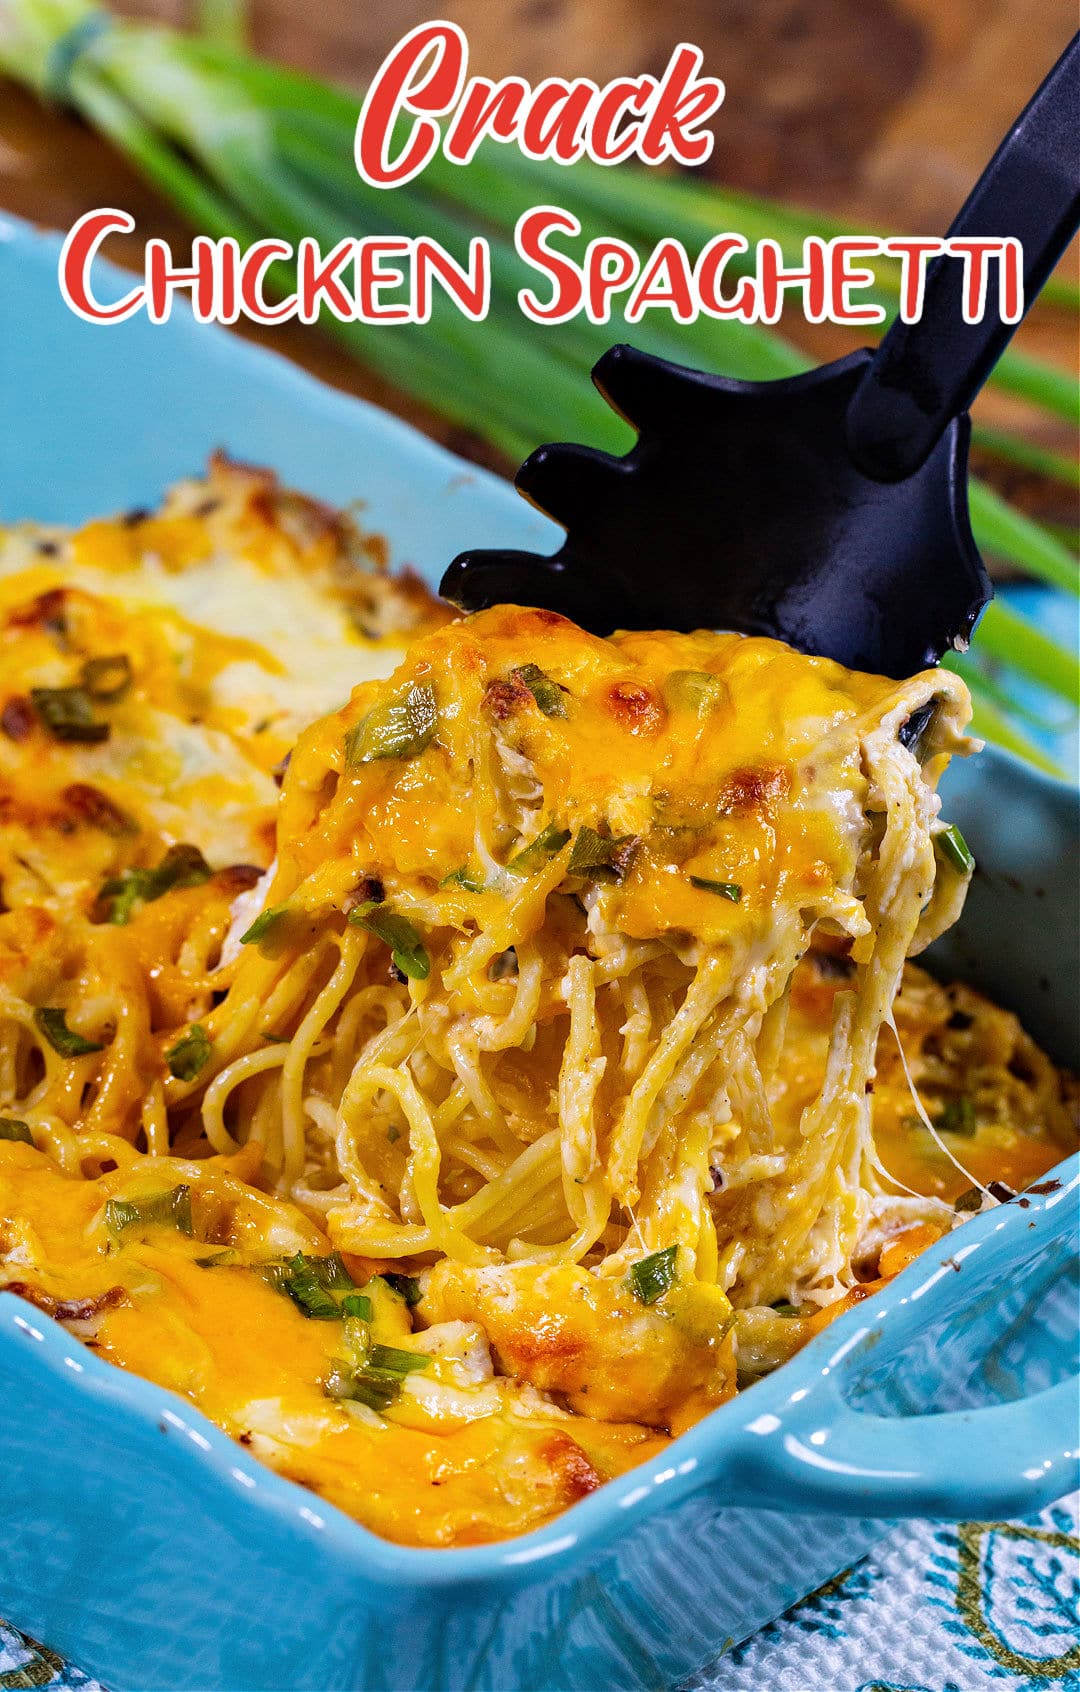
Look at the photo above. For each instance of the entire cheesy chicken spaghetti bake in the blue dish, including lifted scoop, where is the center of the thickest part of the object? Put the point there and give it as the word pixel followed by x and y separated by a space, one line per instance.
pixel 461 1123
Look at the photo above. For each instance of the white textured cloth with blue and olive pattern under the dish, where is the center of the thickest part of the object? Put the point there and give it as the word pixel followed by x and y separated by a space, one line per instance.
pixel 986 1605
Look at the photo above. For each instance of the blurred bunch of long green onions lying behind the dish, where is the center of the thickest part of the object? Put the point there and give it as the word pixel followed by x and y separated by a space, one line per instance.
pixel 246 148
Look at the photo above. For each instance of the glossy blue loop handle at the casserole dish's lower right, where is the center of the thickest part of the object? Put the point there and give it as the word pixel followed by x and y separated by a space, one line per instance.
pixel 818 1453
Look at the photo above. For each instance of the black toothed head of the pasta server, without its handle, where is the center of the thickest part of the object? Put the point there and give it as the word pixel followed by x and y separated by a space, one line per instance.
pixel 742 508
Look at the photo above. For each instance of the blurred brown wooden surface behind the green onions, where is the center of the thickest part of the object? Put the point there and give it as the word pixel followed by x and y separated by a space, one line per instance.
pixel 883 111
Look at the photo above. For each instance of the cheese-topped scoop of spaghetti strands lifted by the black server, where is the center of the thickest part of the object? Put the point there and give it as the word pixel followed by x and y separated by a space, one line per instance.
pixel 517 994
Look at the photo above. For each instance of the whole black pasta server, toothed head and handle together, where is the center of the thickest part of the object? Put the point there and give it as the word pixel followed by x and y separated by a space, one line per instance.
pixel 827 510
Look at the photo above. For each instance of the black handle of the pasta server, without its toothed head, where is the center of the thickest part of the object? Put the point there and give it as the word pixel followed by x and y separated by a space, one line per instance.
pixel 928 373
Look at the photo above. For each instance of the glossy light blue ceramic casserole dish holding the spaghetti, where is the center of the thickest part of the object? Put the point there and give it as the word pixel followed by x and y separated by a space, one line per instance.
pixel 155 1552
